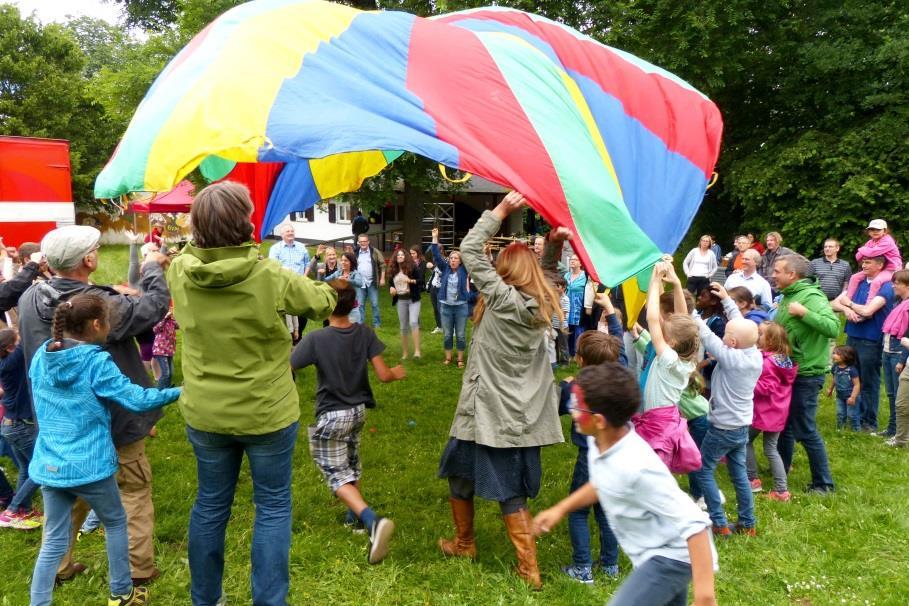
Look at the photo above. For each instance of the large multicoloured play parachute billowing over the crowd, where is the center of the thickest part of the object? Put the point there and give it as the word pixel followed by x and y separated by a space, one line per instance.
pixel 616 149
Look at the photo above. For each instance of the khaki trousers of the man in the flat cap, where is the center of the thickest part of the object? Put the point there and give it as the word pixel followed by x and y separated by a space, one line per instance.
pixel 134 479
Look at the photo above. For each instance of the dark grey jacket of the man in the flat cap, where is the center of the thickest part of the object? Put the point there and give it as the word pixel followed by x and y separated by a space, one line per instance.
pixel 130 316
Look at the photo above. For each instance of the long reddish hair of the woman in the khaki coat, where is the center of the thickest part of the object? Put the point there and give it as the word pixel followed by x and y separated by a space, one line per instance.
pixel 518 267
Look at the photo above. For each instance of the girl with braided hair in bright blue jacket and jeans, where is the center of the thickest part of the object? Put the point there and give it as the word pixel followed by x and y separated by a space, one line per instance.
pixel 72 378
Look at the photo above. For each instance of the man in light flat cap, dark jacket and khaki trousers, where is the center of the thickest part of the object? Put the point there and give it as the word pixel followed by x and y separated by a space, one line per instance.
pixel 72 252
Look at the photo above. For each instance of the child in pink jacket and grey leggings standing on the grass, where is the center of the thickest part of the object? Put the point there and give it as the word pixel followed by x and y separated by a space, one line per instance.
pixel 771 406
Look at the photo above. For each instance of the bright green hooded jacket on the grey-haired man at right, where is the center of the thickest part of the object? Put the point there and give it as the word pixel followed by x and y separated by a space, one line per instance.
pixel 809 336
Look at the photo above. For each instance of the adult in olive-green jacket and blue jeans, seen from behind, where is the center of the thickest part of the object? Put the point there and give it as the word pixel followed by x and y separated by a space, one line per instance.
pixel 239 396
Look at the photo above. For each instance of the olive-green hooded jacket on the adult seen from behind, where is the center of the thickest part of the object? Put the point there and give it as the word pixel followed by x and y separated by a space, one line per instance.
pixel 230 305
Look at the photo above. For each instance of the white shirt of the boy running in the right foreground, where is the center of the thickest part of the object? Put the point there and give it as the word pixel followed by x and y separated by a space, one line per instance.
pixel 646 509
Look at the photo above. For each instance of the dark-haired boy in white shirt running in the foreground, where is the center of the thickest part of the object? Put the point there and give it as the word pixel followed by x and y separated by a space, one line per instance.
pixel 664 534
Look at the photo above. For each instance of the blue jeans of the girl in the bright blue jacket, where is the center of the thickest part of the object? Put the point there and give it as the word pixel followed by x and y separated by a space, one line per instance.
pixel 104 497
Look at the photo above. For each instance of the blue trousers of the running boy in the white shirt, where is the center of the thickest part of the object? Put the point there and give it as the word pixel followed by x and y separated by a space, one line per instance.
pixel 657 582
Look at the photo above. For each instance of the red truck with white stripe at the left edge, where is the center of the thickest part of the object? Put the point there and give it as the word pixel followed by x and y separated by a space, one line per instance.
pixel 35 188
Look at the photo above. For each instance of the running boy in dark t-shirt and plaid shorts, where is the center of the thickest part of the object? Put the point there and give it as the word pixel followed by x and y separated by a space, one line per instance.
pixel 340 353
